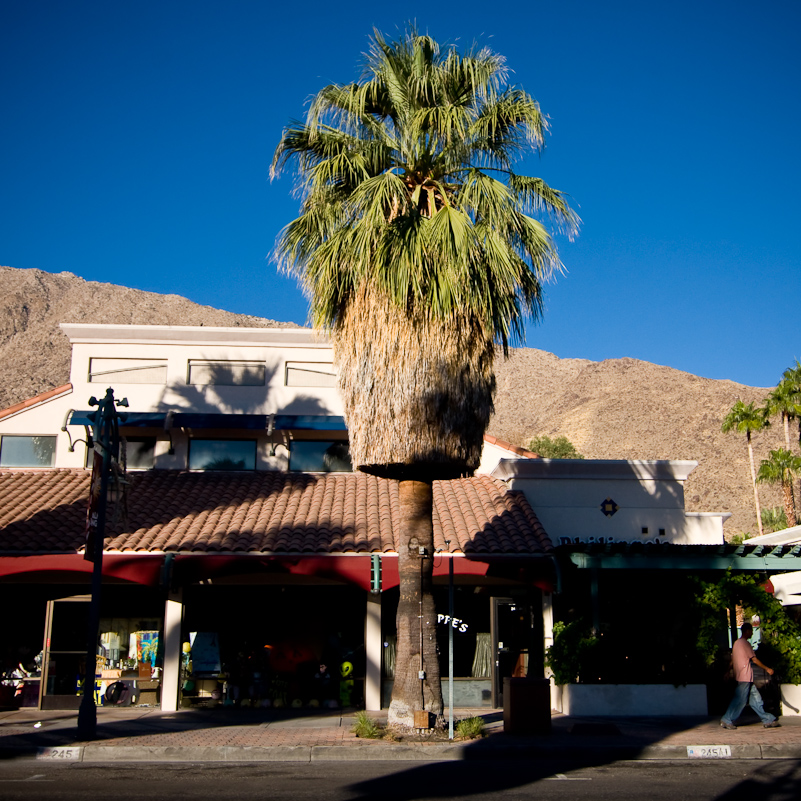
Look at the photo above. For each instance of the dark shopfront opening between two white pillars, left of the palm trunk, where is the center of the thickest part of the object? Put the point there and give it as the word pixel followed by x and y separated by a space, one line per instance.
pixel 308 655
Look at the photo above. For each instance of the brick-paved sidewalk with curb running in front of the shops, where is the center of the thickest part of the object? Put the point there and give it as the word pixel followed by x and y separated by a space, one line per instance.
pixel 251 735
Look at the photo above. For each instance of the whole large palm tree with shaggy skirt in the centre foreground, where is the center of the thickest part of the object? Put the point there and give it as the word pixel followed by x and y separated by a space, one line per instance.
pixel 418 247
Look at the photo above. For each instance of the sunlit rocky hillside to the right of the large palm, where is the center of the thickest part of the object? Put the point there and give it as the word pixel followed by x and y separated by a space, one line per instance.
pixel 628 409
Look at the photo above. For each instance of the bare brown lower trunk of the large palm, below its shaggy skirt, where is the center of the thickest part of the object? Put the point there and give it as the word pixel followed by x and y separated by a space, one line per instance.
pixel 417 617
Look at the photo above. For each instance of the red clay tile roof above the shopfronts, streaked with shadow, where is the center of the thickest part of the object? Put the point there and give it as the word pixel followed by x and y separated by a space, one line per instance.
pixel 265 512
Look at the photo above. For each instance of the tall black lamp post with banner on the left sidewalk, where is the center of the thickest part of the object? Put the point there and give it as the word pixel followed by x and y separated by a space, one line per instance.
pixel 106 435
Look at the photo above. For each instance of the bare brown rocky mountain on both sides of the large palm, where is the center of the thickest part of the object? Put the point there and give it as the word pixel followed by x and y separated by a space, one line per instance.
pixel 615 409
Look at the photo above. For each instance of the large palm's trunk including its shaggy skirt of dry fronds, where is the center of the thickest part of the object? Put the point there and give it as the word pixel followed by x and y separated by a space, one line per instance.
pixel 417 395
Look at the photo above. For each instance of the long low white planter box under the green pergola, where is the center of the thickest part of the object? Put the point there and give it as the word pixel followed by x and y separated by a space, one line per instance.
pixel 629 700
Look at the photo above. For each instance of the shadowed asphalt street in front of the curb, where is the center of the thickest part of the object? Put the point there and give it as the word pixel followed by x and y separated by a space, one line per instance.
pixel 708 780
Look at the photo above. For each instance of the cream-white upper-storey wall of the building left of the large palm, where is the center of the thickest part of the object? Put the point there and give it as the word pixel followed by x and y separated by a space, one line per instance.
pixel 177 345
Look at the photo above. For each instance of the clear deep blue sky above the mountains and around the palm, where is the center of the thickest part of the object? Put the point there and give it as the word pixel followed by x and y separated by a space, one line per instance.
pixel 136 140
